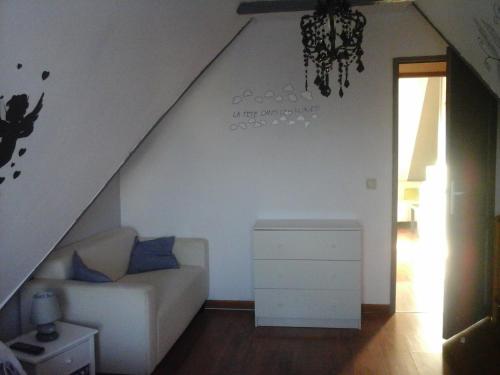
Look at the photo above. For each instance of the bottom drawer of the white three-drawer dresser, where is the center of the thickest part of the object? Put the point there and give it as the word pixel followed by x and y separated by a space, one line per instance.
pixel 307 304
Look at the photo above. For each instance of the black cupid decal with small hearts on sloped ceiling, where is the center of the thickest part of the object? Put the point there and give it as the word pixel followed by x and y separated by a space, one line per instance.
pixel 16 124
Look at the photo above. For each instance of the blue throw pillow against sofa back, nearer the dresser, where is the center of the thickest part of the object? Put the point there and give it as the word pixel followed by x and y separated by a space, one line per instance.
pixel 152 255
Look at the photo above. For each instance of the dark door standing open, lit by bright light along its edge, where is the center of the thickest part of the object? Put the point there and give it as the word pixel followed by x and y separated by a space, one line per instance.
pixel 471 145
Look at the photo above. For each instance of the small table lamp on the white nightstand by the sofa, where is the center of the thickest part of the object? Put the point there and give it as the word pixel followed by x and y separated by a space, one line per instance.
pixel 44 312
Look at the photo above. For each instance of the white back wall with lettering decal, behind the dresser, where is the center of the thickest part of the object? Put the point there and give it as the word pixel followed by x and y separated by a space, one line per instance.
pixel 194 176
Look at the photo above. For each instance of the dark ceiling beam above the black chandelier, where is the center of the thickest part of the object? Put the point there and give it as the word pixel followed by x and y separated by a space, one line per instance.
pixel 275 6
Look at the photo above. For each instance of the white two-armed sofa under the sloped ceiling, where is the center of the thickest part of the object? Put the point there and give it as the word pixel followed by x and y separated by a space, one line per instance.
pixel 139 316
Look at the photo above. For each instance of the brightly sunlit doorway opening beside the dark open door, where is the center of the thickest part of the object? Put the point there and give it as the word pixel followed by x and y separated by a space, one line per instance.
pixel 420 184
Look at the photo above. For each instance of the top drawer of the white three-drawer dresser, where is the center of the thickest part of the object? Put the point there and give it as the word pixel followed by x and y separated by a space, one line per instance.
pixel 320 245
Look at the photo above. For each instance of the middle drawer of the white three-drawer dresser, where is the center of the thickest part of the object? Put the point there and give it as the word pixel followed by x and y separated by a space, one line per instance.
pixel 307 274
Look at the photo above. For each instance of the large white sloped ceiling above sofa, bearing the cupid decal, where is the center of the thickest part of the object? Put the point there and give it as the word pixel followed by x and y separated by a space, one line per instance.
pixel 107 70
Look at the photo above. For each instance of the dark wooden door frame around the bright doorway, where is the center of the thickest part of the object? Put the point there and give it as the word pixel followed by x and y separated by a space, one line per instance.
pixel 395 136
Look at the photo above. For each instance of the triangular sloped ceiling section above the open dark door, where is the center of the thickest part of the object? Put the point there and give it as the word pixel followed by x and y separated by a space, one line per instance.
pixel 473 27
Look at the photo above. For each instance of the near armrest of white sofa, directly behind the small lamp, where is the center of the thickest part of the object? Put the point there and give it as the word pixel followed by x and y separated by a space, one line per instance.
pixel 123 313
